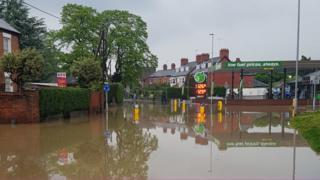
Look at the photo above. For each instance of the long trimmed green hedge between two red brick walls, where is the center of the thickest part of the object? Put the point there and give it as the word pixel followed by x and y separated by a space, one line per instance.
pixel 54 101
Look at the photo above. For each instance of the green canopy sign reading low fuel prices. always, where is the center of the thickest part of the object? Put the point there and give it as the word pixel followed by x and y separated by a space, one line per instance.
pixel 253 64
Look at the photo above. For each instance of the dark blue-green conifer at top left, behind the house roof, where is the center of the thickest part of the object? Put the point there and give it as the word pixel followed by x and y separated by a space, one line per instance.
pixel 32 29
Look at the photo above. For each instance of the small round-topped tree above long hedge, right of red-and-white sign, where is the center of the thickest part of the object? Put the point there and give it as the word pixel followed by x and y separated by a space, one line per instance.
pixel 88 72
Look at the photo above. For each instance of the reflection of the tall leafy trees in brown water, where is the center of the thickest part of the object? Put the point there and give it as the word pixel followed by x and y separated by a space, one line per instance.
pixel 99 158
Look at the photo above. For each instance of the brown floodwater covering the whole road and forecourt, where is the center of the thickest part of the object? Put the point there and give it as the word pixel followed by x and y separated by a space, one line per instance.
pixel 159 142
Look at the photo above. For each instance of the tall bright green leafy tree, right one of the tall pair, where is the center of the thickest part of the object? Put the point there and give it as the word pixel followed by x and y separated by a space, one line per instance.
pixel 126 44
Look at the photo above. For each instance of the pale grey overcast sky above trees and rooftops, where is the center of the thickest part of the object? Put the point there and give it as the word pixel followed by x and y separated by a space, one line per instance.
pixel 250 29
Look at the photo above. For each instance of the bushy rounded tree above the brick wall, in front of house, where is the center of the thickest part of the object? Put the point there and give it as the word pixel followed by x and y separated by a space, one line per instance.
pixel 23 67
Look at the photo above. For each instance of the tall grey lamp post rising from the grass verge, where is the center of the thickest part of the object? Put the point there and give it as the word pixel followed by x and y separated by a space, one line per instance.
pixel 295 101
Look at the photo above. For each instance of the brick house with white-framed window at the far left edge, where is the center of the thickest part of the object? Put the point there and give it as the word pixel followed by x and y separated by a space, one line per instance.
pixel 9 42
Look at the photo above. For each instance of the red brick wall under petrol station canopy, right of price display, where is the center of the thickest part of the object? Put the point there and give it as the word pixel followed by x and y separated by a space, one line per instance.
pixel 220 78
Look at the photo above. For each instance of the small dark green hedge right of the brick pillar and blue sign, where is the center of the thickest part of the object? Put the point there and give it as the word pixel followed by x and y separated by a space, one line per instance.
pixel 116 93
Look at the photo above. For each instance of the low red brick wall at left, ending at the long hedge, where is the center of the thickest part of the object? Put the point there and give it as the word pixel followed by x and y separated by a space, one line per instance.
pixel 23 108
